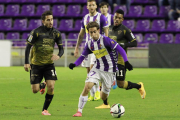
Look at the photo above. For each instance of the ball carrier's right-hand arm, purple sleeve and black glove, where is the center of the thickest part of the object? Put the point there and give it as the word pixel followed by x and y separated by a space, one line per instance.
pixel 123 54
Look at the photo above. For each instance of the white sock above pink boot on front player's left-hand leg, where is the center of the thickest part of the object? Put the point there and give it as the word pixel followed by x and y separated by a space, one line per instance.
pixel 82 102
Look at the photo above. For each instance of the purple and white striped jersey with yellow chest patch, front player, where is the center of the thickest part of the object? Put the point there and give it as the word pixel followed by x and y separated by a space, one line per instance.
pixel 106 53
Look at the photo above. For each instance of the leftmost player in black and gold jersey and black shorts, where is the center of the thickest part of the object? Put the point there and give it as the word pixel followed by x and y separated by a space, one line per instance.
pixel 43 40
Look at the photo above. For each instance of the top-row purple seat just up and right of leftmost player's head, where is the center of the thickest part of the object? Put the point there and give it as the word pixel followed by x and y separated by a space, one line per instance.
pixel 59 10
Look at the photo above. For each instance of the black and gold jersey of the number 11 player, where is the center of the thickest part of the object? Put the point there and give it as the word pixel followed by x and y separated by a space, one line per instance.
pixel 121 34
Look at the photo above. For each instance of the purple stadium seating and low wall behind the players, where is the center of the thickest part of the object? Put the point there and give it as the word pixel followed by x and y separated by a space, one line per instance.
pixel 148 21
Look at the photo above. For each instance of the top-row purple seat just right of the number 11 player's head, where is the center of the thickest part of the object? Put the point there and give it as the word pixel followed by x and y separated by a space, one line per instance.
pixel 135 11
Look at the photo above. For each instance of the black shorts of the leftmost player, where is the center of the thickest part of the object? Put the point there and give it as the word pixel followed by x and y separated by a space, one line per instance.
pixel 38 72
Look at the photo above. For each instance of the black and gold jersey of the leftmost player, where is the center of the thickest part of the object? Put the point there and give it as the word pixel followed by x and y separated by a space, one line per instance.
pixel 43 42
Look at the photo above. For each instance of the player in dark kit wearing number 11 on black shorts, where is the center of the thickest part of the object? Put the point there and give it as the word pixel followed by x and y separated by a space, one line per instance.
pixel 125 38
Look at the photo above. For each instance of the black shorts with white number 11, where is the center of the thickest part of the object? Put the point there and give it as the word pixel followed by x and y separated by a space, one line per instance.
pixel 121 73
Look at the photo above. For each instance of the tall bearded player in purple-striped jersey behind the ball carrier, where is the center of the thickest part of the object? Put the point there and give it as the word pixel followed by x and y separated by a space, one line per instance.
pixel 88 62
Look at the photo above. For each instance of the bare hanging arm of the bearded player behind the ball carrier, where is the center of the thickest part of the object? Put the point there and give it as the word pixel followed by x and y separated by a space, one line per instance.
pixel 79 41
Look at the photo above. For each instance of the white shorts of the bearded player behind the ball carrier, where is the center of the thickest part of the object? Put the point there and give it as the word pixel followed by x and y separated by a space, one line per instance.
pixel 89 60
